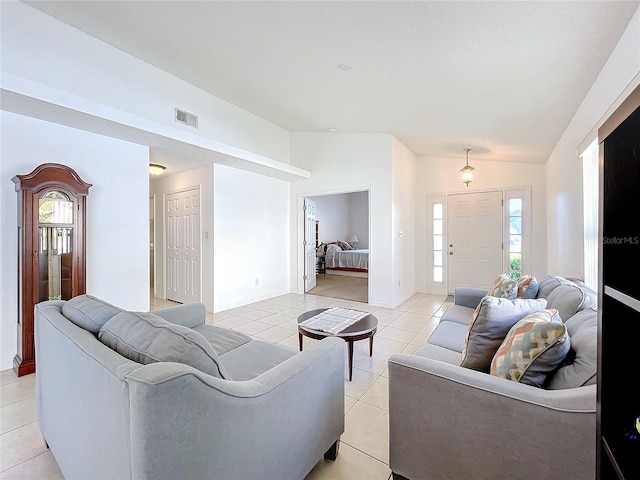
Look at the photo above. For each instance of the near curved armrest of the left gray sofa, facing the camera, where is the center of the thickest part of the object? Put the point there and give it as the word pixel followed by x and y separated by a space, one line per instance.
pixel 277 425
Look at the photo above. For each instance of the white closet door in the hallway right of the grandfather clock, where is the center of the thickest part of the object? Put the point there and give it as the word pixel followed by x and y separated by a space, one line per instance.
pixel 182 223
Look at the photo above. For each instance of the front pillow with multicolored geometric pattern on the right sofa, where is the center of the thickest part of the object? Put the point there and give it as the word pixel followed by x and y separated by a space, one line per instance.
pixel 532 349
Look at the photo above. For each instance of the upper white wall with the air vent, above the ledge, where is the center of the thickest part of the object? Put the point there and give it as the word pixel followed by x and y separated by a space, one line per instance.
pixel 39 48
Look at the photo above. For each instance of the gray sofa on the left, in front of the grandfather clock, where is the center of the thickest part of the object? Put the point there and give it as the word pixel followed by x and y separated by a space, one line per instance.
pixel 261 412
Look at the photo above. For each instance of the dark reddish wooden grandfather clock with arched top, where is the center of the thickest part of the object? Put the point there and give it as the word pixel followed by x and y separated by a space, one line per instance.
pixel 51 247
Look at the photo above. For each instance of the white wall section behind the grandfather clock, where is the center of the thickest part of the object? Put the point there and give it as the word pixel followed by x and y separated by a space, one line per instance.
pixel 117 212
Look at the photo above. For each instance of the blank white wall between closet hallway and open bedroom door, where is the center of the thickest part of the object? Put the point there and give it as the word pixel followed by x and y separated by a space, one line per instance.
pixel 251 237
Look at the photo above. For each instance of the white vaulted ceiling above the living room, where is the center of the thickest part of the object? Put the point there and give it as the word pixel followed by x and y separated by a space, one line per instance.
pixel 503 78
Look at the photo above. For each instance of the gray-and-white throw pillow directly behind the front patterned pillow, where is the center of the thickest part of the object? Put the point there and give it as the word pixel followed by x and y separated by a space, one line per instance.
pixel 489 325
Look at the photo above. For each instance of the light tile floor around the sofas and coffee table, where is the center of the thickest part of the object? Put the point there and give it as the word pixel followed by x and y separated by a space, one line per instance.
pixel 364 447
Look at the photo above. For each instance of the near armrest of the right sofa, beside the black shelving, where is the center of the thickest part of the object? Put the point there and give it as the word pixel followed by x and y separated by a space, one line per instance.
pixel 451 422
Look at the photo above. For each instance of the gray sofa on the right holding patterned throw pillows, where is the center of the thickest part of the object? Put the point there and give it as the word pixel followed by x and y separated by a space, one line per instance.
pixel 451 422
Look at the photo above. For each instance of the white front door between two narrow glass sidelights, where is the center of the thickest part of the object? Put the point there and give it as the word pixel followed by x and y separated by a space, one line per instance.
pixel 475 238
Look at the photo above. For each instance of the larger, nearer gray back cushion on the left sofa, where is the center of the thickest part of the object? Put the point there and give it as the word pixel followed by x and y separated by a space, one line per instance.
pixel 146 338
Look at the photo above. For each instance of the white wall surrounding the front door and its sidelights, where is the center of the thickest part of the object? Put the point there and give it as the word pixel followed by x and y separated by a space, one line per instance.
pixel 442 175
